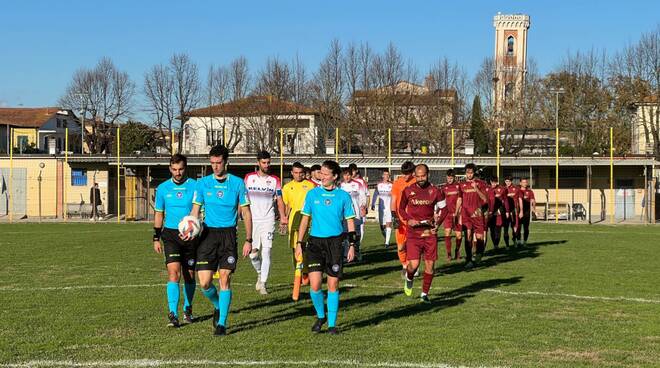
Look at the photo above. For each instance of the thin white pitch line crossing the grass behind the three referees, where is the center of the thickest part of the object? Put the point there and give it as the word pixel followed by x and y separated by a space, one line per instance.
pixel 387 287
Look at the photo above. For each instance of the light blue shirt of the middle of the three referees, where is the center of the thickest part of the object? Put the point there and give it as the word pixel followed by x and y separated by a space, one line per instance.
pixel 221 199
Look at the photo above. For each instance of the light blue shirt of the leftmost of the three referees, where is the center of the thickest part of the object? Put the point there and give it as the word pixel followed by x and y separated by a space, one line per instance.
pixel 175 200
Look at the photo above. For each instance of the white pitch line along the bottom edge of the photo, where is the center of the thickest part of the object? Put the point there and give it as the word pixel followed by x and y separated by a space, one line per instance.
pixel 161 363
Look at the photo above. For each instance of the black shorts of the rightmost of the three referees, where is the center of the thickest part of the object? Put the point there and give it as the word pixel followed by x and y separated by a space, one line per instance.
pixel 325 255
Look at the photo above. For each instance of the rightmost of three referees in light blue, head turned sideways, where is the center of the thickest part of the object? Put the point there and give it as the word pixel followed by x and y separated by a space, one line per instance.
pixel 328 207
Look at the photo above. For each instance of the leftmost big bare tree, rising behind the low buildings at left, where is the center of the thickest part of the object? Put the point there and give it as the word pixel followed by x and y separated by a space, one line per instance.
pixel 105 95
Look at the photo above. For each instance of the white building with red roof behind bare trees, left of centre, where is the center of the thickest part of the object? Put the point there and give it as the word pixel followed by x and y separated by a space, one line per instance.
pixel 252 124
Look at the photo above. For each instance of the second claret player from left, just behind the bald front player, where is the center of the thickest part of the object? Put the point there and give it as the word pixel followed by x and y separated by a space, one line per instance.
pixel 451 215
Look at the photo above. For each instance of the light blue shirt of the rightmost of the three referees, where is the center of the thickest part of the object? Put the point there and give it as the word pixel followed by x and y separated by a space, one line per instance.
pixel 328 209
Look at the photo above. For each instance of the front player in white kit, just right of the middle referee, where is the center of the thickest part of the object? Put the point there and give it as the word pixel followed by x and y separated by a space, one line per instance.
pixel 264 190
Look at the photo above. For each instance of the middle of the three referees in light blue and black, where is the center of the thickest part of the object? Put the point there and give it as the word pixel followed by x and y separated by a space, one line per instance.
pixel 221 194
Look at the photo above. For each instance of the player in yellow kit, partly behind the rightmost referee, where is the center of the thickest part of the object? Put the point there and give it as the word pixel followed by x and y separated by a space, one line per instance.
pixel 293 195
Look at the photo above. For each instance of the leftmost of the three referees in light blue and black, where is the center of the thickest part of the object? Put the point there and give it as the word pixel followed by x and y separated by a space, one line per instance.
pixel 173 202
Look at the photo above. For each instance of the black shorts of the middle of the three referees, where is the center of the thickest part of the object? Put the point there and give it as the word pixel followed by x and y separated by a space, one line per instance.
pixel 217 249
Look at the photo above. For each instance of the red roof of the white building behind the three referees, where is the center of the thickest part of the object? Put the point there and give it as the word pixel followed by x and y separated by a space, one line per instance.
pixel 253 106
